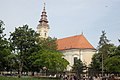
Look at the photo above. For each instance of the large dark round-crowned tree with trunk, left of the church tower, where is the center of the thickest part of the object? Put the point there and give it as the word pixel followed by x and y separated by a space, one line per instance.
pixel 23 42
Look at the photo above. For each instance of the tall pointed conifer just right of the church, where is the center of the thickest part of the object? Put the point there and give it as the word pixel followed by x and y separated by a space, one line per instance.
pixel 103 52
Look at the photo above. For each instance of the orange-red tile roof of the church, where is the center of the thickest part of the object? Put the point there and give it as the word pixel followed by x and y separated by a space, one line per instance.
pixel 74 42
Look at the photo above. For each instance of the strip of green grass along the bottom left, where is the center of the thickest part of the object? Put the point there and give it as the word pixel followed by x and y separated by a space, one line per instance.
pixel 25 78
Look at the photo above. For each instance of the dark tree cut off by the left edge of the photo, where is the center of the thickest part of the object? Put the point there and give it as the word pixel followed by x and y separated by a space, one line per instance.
pixel 4 47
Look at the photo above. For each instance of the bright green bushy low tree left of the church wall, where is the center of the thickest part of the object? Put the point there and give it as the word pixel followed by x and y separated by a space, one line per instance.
pixel 52 60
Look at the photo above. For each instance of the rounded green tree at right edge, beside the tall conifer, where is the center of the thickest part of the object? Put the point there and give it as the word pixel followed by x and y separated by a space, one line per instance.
pixel 112 63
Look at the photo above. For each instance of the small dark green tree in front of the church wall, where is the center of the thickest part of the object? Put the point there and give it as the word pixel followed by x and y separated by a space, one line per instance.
pixel 78 68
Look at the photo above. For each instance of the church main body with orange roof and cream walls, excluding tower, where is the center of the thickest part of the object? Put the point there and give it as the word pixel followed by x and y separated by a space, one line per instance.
pixel 76 47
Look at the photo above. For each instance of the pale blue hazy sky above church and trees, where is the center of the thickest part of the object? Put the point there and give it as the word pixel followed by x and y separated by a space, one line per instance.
pixel 66 17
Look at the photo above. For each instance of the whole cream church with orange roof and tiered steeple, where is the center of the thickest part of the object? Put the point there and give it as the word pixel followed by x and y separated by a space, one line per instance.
pixel 73 47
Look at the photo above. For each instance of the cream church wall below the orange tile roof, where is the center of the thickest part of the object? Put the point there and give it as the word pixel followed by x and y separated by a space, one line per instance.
pixel 85 55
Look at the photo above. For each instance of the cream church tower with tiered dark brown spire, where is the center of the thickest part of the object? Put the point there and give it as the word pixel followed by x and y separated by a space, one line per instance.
pixel 43 26
